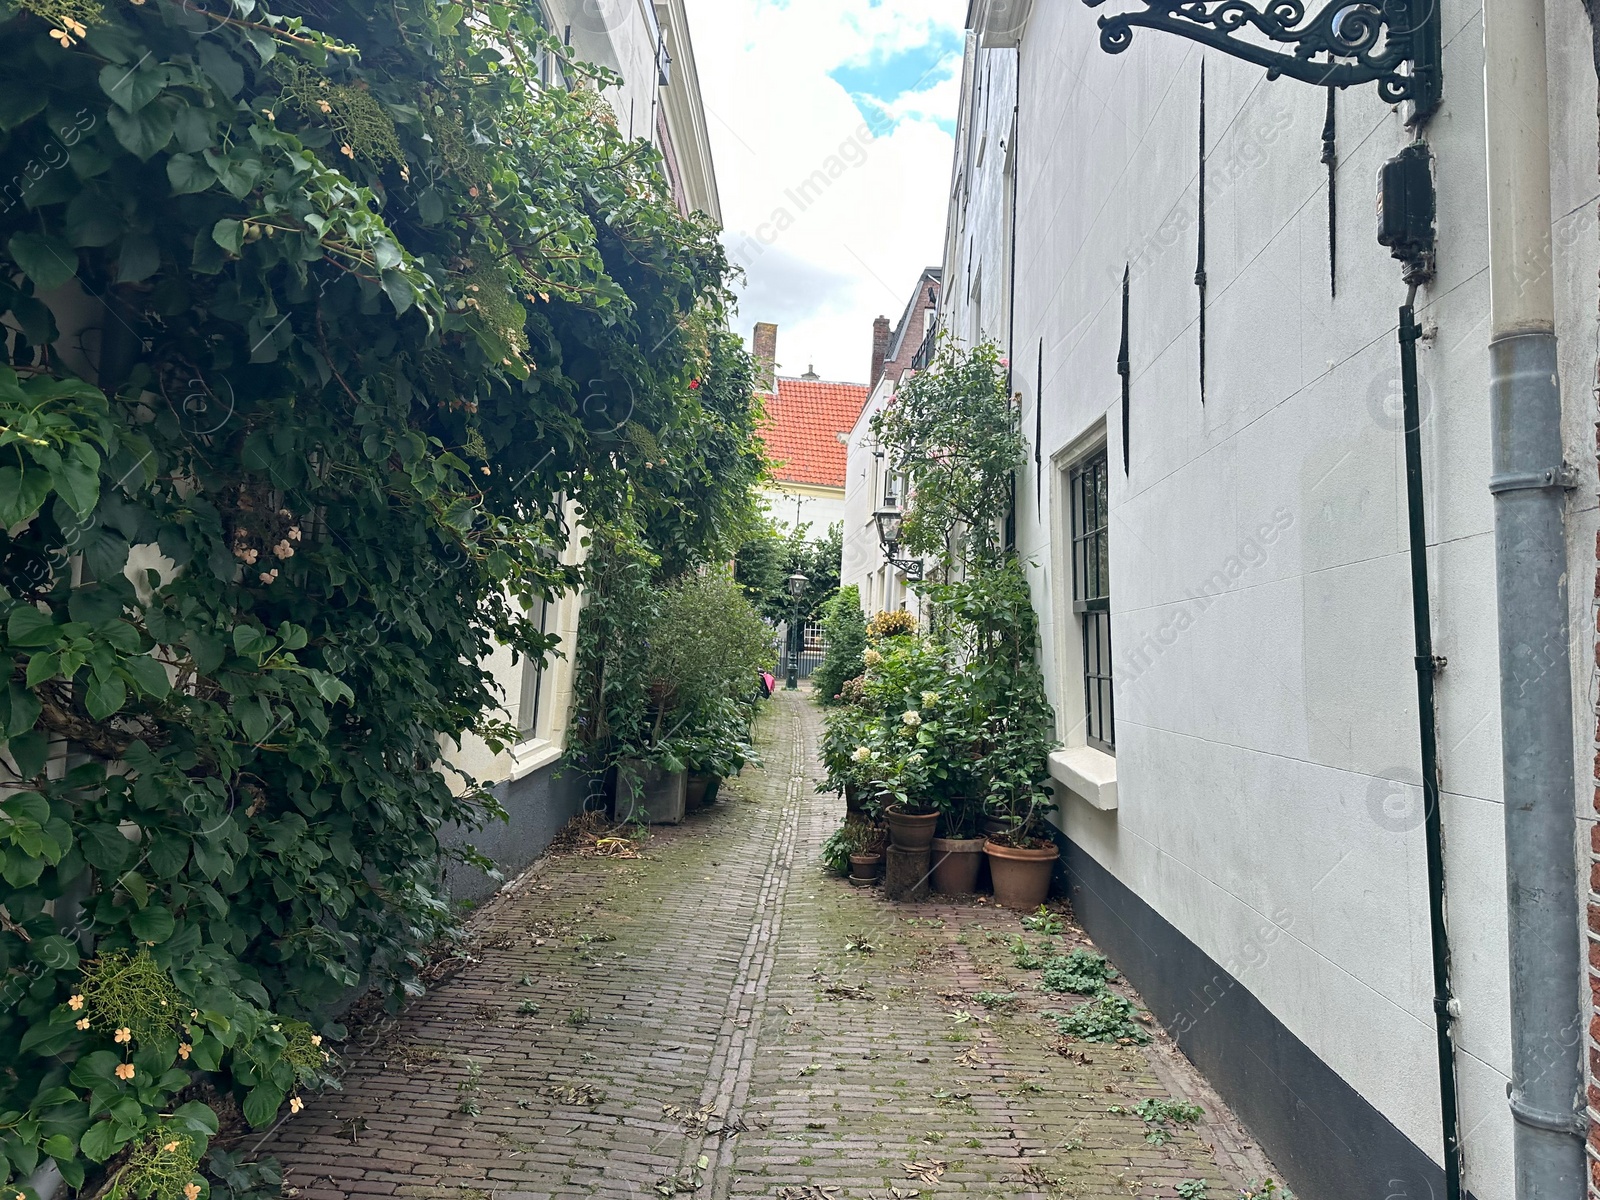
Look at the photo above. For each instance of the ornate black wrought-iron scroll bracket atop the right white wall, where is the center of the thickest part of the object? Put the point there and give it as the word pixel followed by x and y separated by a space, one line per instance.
pixel 1394 44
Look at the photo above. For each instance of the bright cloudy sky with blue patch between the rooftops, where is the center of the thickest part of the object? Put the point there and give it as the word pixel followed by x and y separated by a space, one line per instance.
pixel 831 127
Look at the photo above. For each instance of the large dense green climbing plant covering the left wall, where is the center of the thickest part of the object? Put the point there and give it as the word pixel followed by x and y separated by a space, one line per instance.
pixel 319 322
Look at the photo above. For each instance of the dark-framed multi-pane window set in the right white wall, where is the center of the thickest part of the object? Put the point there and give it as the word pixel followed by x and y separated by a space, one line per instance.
pixel 1092 596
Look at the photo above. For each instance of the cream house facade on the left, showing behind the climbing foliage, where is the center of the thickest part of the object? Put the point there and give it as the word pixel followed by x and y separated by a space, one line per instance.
pixel 649 46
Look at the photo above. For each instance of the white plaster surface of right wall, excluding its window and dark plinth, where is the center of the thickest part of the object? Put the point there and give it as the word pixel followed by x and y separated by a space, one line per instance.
pixel 1266 740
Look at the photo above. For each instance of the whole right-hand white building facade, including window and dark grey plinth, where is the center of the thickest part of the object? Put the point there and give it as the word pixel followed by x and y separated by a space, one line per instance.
pixel 1178 257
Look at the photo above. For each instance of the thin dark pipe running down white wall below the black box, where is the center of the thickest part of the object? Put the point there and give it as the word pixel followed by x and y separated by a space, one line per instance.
pixel 1446 1007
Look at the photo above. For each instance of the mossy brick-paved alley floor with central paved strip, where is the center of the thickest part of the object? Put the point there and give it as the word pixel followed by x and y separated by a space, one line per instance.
pixel 724 1020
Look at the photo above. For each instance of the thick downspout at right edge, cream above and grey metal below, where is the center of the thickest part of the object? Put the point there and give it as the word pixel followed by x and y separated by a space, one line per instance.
pixel 1529 484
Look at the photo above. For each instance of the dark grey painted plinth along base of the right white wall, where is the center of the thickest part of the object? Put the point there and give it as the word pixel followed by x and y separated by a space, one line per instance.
pixel 1322 1135
